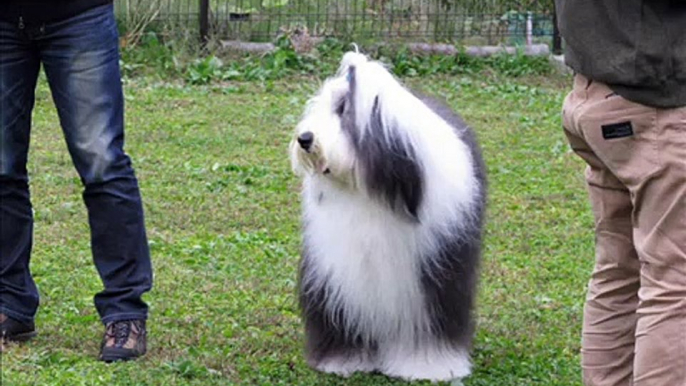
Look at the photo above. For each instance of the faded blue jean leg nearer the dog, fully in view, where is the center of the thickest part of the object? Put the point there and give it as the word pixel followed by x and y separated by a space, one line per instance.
pixel 81 60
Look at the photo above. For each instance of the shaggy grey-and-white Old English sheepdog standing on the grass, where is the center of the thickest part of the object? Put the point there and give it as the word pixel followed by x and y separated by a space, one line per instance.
pixel 394 192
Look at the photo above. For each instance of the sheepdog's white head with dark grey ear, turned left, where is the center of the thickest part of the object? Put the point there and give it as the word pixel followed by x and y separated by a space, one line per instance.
pixel 356 131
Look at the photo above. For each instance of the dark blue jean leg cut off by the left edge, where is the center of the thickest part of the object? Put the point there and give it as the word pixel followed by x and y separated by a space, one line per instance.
pixel 19 66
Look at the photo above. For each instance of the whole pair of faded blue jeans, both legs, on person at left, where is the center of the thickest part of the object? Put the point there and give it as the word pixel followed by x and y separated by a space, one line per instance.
pixel 80 57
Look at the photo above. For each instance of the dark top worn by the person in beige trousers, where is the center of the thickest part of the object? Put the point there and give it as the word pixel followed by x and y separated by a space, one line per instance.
pixel 636 47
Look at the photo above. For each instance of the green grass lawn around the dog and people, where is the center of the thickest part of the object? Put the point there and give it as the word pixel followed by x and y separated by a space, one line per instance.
pixel 223 222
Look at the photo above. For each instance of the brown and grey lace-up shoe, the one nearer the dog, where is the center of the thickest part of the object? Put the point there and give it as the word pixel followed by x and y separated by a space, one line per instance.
pixel 124 340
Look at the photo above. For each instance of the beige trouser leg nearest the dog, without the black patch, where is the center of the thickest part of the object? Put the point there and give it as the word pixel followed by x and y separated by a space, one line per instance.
pixel 610 311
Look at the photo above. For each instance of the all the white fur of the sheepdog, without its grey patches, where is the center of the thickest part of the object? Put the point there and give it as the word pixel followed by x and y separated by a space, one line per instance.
pixel 368 256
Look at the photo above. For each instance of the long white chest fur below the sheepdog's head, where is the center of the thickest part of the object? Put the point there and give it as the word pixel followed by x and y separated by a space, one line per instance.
pixel 365 251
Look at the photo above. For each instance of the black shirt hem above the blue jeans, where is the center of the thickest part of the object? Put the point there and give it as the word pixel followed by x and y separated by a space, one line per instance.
pixel 43 11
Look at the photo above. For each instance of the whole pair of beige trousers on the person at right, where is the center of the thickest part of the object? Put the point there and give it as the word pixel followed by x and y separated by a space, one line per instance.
pixel 634 330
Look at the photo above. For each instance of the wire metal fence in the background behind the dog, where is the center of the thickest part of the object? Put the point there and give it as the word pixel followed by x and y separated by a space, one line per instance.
pixel 468 21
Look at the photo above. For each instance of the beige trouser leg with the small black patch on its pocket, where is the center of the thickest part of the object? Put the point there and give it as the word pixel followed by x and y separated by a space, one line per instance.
pixel 645 148
